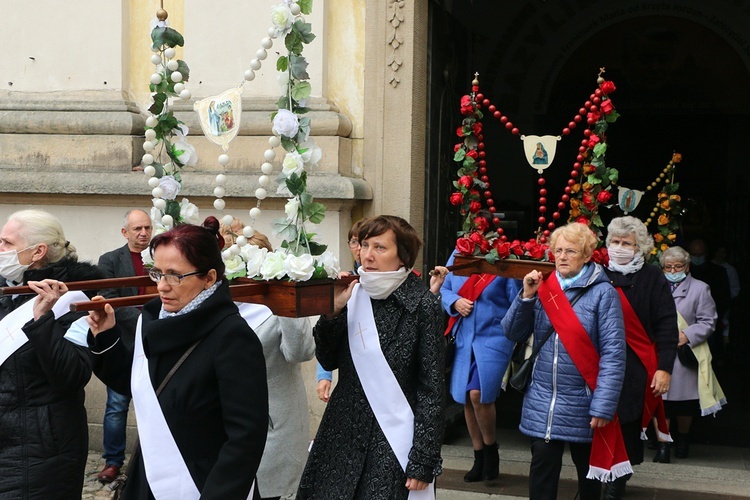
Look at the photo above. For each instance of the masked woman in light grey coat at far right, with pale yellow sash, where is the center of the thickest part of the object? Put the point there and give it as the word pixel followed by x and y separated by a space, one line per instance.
pixel 697 319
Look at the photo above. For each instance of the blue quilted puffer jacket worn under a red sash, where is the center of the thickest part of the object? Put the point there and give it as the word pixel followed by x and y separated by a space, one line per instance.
pixel 558 404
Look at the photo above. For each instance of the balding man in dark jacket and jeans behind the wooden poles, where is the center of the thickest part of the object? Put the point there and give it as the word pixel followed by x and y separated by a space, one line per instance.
pixel 123 262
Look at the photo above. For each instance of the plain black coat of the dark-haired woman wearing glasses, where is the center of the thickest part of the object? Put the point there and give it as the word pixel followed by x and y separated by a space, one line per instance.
pixel 216 404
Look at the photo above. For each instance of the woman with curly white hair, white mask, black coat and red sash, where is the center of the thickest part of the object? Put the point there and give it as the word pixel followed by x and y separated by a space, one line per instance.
pixel 650 334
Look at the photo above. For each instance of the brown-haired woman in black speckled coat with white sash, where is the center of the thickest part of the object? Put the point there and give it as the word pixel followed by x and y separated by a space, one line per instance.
pixel 382 430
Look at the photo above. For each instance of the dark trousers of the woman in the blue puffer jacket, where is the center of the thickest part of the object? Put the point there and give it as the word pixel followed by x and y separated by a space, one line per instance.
pixel 546 463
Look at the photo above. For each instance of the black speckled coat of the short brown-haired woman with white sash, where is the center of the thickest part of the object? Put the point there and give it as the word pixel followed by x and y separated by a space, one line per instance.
pixel 351 457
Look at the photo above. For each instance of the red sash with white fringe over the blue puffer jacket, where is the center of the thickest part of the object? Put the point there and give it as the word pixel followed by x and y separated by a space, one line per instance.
pixel 609 459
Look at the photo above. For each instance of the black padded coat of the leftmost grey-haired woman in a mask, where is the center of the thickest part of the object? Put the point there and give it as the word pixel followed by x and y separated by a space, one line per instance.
pixel 43 424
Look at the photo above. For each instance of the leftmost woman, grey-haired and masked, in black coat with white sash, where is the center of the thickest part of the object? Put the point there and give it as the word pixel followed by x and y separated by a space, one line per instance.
pixel 43 369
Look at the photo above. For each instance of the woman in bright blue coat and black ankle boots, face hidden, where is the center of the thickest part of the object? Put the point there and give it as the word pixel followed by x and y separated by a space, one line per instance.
pixel 481 358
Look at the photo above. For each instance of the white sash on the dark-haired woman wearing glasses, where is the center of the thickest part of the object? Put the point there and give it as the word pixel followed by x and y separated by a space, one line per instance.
pixel 166 471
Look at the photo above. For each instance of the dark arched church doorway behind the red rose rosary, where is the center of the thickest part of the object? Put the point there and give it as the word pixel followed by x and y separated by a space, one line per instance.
pixel 680 68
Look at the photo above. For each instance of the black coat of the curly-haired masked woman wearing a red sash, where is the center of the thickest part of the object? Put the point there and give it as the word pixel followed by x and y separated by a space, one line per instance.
pixel 648 292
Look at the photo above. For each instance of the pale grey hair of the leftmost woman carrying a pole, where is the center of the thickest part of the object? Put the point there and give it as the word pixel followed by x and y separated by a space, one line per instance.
pixel 38 226
